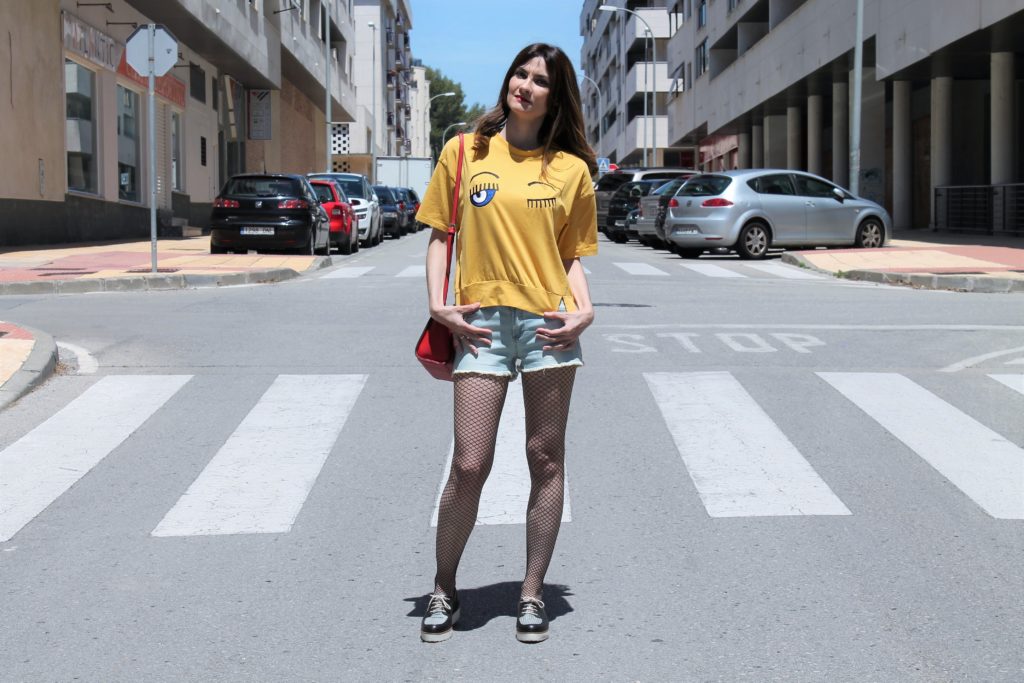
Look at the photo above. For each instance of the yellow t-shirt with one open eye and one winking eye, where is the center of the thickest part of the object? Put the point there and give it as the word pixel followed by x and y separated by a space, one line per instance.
pixel 515 227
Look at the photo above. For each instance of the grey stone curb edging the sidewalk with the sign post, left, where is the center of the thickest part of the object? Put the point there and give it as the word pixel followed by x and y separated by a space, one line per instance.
pixel 155 283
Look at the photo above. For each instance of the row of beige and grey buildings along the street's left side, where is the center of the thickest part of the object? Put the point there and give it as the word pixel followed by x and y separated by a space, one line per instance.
pixel 248 95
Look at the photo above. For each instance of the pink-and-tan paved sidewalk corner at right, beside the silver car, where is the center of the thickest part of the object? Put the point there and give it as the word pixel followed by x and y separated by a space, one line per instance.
pixel 928 261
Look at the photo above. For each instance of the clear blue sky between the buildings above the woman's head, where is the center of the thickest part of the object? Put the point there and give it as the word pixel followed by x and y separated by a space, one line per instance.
pixel 474 41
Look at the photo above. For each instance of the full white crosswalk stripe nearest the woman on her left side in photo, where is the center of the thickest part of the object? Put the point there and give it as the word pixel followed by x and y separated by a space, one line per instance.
pixel 261 479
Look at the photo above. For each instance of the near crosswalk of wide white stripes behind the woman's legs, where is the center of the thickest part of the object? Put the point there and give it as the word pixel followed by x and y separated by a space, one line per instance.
pixel 742 463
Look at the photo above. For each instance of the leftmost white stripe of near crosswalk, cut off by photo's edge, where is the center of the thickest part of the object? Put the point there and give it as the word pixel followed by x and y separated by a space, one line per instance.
pixel 40 467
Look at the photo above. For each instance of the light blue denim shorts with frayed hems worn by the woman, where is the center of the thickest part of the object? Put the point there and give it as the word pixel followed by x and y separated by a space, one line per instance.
pixel 515 347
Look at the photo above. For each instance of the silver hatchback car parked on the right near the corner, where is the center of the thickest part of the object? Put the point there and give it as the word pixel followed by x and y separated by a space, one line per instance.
pixel 755 210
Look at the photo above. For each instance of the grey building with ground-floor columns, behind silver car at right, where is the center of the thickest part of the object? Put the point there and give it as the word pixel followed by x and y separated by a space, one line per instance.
pixel 771 83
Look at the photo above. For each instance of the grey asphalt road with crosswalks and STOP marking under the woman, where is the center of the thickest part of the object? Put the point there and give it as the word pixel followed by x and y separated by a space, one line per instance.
pixel 772 477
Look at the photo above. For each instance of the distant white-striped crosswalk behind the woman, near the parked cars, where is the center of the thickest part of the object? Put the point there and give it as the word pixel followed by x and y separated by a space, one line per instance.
pixel 721 270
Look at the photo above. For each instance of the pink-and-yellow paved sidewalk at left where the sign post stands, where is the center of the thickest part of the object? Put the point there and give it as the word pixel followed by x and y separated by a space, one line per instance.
pixel 184 263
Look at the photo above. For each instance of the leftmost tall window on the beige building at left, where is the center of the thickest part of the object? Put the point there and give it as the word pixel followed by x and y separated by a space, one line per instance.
pixel 80 87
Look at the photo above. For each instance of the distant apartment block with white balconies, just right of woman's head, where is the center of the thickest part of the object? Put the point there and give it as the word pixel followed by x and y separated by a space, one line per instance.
pixel 626 90
